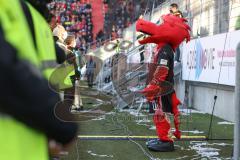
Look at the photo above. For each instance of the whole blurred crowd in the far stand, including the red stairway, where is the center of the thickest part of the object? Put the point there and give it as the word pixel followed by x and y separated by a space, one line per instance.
pixel 77 17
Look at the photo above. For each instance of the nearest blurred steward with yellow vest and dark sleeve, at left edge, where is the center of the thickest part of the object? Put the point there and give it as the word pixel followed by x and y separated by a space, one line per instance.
pixel 27 117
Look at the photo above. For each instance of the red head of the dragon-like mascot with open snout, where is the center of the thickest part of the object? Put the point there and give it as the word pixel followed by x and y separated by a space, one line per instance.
pixel 172 31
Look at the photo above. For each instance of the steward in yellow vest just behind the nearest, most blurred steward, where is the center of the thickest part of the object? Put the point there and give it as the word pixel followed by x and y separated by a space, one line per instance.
pixel 45 46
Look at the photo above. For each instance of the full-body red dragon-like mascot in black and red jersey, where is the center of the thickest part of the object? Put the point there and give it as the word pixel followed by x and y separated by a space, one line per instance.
pixel 168 36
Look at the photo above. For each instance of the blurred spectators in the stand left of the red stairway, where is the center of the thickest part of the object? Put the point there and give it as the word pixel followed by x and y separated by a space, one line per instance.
pixel 76 17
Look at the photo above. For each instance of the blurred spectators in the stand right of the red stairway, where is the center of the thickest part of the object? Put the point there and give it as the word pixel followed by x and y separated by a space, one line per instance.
pixel 122 13
